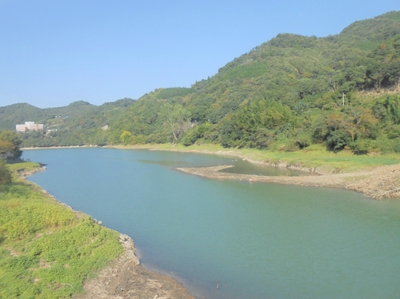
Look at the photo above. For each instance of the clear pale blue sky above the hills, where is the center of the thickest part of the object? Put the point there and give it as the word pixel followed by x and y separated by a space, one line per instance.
pixel 55 52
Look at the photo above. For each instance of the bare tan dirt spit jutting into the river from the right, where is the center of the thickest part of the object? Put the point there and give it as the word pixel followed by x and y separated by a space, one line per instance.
pixel 381 182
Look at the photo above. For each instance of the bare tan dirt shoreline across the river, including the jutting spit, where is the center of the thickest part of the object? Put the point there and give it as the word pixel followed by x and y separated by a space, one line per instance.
pixel 378 182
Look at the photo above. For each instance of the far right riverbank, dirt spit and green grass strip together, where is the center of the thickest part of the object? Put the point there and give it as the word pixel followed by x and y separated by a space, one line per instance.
pixel 368 176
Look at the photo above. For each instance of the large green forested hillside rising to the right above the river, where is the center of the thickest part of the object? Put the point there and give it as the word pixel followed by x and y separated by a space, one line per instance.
pixel 293 91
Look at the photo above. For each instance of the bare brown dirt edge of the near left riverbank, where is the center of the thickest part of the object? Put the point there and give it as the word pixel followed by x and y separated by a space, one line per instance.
pixel 125 277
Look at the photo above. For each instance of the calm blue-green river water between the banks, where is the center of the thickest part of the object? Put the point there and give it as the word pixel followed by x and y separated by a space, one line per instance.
pixel 232 239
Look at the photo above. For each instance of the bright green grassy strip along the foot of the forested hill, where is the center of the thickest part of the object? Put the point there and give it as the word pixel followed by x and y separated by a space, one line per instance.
pixel 312 157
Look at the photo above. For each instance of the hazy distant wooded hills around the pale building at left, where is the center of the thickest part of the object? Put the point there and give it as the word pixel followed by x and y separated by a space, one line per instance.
pixel 76 124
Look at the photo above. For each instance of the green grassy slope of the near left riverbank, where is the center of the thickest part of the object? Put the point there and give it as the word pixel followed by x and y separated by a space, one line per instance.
pixel 46 249
